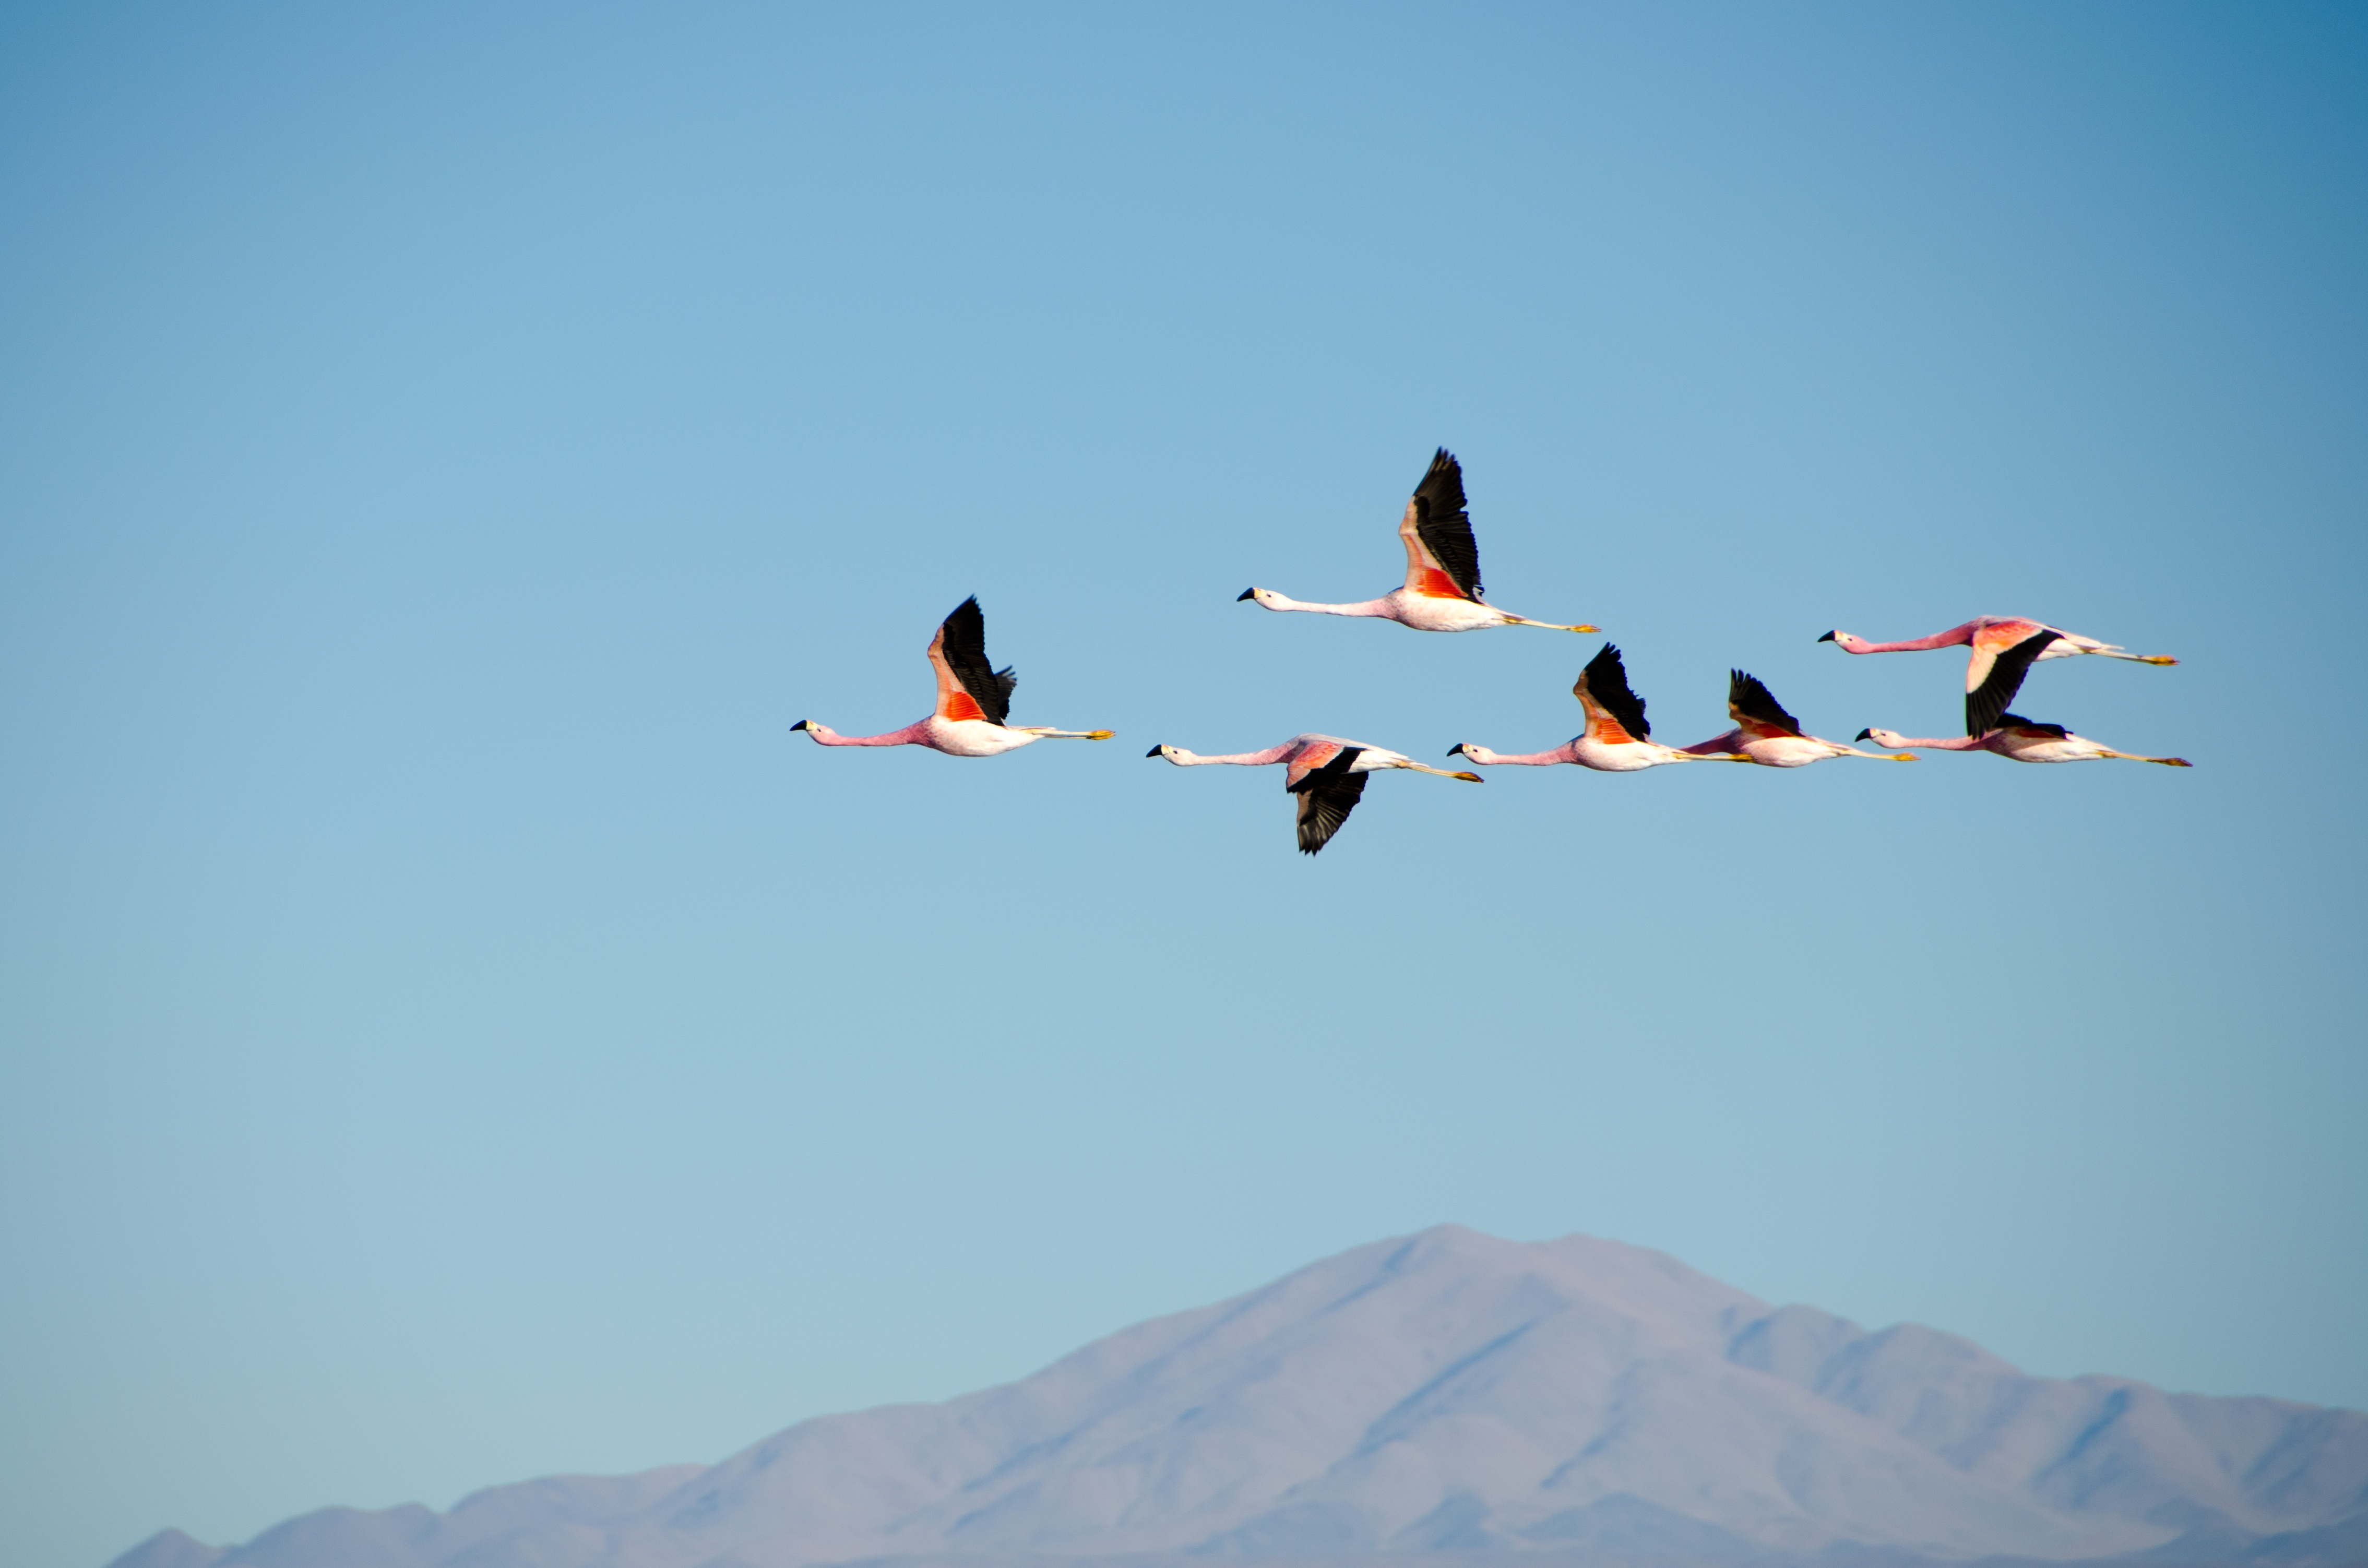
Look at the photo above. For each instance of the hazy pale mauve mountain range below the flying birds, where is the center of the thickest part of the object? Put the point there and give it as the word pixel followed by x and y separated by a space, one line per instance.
pixel 1450 1394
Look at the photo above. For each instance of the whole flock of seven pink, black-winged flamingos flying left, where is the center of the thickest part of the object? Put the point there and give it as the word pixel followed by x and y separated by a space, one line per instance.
pixel 1441 593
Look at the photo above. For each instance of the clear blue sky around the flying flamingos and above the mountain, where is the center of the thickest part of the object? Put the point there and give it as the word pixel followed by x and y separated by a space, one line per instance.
pixel 453 1032
